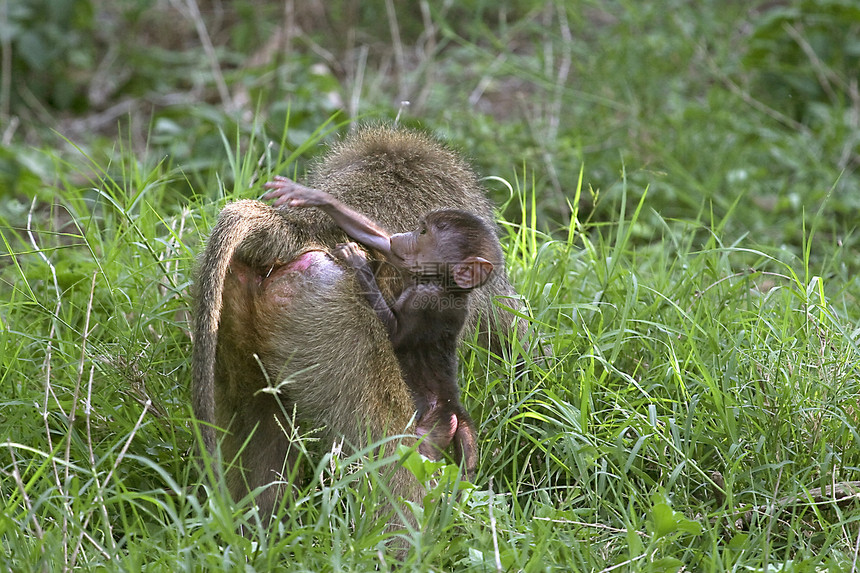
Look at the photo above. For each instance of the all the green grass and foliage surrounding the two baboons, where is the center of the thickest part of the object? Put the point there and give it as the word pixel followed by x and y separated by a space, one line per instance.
pixel 678 182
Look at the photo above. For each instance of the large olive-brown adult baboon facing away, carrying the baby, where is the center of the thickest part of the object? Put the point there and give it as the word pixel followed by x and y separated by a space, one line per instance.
pixel 271 305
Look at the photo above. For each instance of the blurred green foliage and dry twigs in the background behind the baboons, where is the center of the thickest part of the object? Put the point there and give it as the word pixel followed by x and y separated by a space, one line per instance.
pixel 748 108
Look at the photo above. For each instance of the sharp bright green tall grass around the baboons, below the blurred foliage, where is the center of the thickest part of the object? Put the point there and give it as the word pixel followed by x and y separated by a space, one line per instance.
pixel 669 362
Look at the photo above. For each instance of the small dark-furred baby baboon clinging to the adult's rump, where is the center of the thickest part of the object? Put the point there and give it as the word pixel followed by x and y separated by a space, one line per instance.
pixel 451 253
